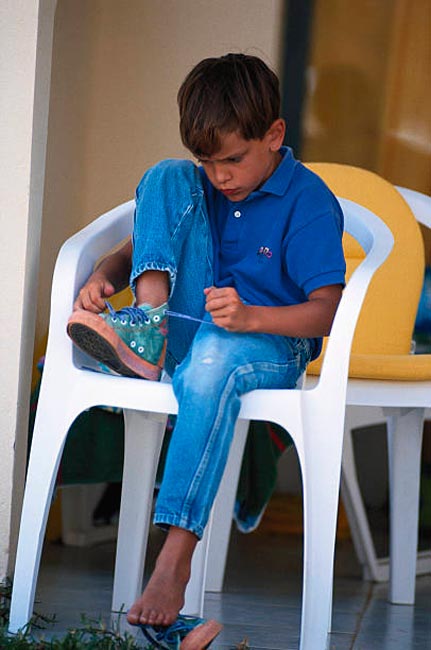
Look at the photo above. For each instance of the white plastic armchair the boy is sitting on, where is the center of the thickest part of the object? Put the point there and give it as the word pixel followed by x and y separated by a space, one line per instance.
pixel 314 418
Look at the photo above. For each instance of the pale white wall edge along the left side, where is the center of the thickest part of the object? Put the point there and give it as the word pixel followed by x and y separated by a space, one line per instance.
pixel 25 60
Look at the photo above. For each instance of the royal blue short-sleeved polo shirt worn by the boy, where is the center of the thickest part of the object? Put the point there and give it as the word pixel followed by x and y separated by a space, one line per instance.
pixel 280 243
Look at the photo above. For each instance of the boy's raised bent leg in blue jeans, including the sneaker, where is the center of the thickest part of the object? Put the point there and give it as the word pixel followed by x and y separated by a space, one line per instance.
pixel 172 252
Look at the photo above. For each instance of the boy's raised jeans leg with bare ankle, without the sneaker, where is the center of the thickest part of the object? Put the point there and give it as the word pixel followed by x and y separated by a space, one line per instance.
pixel 172 234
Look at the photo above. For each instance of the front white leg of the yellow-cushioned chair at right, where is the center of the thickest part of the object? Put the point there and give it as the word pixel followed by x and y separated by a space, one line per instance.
pixel 404 446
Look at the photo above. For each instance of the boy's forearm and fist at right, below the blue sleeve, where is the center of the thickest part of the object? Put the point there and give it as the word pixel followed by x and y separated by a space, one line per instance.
pixel 309 319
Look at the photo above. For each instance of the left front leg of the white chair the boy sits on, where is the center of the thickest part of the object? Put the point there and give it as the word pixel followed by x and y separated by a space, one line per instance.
pixel 49 436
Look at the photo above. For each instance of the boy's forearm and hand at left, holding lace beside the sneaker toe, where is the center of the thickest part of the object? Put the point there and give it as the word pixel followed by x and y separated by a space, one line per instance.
pixel 112 275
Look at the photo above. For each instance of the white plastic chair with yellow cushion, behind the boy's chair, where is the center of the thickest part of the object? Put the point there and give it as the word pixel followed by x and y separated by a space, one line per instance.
pixel 382 373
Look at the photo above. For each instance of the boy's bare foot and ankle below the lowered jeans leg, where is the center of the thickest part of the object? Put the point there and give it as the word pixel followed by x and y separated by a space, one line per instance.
pixel 163 597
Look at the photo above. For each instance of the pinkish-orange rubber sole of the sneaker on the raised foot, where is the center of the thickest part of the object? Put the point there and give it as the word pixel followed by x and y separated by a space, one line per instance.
pixel 92 335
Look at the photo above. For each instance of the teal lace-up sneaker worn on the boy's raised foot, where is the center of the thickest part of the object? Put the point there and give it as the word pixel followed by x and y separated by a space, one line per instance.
pixel 131 341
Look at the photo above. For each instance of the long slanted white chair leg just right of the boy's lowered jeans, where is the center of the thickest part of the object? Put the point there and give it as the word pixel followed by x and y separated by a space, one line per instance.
pixel 218 544
